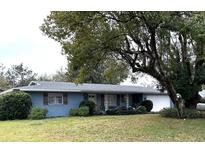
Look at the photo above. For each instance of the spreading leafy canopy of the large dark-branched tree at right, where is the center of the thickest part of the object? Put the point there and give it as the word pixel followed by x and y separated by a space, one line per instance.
pixel 169 46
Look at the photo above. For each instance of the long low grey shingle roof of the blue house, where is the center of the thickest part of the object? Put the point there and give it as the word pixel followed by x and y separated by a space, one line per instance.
pixel 85 87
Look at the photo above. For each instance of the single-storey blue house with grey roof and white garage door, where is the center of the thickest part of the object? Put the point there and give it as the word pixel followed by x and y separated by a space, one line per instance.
pixel 60 97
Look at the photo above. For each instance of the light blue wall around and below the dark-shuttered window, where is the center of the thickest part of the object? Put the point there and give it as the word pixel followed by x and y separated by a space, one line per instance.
pixel 74 100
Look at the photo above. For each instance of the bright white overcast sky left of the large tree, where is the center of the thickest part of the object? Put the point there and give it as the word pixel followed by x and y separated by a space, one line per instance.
pixel 22 41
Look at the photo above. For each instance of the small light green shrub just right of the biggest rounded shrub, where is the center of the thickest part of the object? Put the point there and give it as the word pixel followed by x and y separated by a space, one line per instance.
pixel 38 113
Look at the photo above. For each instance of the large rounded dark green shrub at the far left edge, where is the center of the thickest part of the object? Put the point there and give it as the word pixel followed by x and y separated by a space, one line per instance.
pixel 15 105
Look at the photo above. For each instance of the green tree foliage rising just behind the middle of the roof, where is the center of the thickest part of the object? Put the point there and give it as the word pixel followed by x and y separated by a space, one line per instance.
pixel 108 70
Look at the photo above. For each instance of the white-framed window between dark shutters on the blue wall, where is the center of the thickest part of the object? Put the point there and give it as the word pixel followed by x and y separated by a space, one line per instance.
pixel 55 98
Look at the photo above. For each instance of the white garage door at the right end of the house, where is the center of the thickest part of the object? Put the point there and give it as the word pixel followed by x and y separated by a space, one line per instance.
pixel 159 101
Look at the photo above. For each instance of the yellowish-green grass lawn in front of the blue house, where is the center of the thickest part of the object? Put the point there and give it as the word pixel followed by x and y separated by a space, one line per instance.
pixel 149 127
